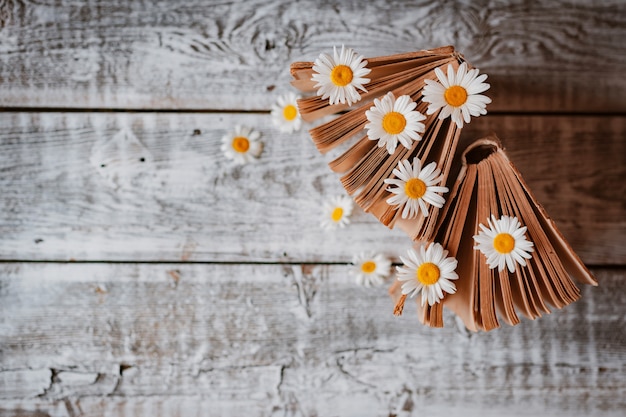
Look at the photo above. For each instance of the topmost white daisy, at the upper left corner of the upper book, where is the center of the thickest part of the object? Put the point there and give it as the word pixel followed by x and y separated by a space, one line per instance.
pixel 339 76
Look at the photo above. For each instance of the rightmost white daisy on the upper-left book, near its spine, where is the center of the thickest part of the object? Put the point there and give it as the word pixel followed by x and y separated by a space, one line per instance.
pixel 458 94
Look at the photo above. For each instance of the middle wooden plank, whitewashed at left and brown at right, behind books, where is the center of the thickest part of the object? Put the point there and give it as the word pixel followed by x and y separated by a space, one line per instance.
pixel 186 202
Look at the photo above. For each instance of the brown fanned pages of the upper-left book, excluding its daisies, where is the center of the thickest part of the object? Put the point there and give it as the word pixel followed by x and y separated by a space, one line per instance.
pixel 364 165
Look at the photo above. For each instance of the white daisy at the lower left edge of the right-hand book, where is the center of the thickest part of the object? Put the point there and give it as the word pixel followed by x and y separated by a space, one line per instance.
pixel 429 270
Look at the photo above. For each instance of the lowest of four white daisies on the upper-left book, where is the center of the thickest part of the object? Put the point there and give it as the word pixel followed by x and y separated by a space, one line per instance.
pixel 415 187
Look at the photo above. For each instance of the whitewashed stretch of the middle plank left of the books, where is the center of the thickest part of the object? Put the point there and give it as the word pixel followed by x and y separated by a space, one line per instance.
pixel 184 202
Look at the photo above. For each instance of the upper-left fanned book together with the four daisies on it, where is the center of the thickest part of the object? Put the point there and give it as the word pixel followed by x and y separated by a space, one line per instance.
pixel 404 114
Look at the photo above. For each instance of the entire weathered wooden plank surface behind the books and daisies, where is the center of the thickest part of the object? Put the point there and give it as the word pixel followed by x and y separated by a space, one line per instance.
pixel 248 327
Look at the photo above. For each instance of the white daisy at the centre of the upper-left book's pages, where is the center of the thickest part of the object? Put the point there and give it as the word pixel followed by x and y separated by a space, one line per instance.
pixel 392 120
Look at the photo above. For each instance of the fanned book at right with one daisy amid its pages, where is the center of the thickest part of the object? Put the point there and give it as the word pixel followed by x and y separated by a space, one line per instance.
pixel 511 257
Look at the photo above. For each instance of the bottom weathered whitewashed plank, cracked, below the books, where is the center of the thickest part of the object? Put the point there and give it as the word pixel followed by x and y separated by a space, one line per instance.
pixel 299 340
